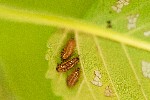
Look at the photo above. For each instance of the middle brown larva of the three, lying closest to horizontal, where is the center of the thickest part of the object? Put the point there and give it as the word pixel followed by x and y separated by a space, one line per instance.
pixel 64 66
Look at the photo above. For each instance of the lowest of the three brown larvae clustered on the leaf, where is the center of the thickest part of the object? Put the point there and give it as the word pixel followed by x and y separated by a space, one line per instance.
pixel 73 77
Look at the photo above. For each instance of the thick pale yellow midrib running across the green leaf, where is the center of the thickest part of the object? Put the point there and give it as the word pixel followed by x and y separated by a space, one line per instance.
pixel 72 24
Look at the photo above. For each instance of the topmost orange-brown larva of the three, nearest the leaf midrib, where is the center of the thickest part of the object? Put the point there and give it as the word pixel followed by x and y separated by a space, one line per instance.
pixel 68 50
